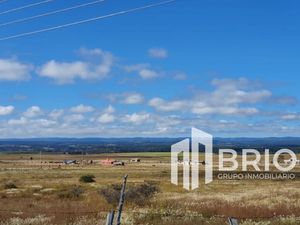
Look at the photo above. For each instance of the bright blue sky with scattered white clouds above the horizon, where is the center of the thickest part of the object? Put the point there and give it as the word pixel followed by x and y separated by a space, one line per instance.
pixel 229 67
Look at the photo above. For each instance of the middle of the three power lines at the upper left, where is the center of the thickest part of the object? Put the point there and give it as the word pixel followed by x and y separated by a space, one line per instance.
pixel 50 13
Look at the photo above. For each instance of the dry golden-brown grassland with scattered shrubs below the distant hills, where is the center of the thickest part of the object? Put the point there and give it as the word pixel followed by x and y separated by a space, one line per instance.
pixel 47 193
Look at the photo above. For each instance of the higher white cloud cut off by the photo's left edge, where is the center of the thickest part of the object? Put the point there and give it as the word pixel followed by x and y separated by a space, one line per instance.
pixel 13 70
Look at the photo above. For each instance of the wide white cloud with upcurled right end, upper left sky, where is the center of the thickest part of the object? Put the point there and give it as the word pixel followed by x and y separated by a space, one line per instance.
pixel 68 72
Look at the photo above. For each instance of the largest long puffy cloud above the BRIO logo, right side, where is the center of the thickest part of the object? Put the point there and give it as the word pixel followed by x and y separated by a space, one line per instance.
pixel 230 97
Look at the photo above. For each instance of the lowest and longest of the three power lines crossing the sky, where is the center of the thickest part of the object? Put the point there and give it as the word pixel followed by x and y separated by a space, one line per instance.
pixel 87 20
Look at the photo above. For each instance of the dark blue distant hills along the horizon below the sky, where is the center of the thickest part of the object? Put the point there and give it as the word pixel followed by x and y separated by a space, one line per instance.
pixel 103 145
